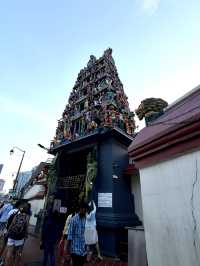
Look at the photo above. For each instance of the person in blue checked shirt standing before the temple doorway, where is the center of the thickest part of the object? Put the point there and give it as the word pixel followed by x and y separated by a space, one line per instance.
pixel 76 240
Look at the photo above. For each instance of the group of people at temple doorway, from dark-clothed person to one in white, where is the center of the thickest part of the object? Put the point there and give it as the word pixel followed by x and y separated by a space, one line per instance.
pixel 78 241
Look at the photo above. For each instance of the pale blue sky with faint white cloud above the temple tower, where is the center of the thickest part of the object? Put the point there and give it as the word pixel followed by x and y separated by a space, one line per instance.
pixel 44 44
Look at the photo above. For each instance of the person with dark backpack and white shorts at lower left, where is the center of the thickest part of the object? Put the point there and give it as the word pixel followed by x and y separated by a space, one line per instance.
pixel 17 232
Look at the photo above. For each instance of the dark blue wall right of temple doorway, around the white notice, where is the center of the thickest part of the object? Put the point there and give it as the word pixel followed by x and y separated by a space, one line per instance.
pixel 113 160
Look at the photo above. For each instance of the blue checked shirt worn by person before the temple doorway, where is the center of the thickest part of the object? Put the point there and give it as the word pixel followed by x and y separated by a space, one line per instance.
pixel 76 235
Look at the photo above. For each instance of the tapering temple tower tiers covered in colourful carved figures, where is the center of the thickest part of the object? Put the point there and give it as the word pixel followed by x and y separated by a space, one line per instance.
pixel 97 100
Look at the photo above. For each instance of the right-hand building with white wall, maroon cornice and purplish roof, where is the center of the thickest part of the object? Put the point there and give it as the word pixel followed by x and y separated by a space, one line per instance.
pixel 167 154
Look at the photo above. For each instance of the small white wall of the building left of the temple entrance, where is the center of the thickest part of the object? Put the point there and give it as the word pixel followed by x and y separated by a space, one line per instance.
pixel 36 204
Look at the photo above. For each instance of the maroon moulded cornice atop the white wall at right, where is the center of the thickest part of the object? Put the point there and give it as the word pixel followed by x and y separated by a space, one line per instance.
pixel 181 140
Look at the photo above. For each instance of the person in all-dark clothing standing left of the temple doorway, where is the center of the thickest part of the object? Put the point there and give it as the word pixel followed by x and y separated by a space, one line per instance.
pixel 51 234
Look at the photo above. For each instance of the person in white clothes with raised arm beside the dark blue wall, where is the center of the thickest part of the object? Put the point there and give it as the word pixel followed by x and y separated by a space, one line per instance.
pixel 91 236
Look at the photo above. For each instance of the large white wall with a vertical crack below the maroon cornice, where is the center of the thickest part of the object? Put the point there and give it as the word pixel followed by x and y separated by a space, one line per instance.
pixel 171 209
